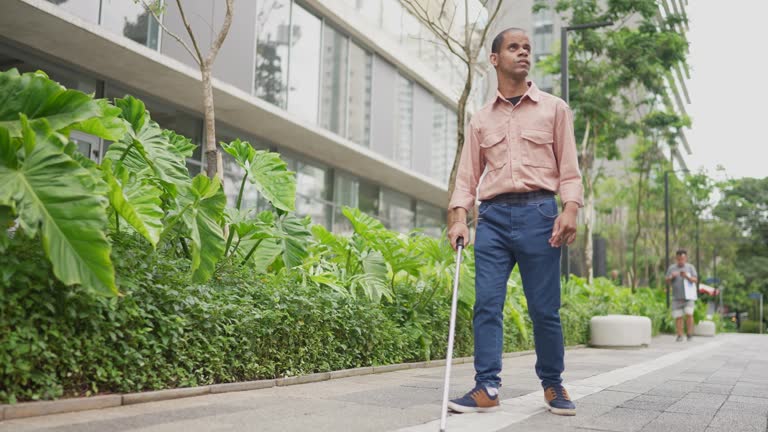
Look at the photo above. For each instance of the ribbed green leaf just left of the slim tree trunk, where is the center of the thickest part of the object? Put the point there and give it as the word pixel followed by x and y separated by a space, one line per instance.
pixel 146 150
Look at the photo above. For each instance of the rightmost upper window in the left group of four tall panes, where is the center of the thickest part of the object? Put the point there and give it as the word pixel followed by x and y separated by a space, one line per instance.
pixel 360 76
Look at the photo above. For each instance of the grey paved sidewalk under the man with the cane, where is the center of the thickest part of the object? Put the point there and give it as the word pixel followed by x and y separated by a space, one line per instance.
pixel 710 384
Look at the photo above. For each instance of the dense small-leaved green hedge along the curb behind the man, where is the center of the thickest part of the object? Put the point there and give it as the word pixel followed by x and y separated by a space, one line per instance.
pixel 168 332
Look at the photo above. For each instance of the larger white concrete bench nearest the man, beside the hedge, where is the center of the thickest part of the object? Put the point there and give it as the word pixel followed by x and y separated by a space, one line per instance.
pixel 620 331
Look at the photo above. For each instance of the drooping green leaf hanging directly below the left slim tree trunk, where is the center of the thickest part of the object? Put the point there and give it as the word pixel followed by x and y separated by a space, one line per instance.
pixel 202 212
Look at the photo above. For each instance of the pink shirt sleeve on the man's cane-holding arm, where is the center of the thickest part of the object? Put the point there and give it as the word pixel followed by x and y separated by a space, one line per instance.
pixel 471 167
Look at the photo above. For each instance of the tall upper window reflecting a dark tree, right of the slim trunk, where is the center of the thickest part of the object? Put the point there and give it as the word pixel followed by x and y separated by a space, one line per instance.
pixel 272 40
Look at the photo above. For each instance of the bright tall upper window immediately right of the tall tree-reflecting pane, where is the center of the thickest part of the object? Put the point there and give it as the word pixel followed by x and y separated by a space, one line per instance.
pixel 304 70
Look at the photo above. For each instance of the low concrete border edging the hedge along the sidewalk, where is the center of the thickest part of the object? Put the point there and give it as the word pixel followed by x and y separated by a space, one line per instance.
pixel 41 408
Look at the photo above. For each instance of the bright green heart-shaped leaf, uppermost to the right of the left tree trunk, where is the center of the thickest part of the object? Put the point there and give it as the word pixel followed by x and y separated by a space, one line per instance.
pixel 267 172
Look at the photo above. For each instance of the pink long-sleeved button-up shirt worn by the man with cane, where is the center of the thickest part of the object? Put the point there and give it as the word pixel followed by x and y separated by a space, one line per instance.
pixel 521 148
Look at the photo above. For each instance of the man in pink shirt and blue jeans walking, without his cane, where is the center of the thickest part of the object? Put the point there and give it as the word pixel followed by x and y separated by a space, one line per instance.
pixel 523 141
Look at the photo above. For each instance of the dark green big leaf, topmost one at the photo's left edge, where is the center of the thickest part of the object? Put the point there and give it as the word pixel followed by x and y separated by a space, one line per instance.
pixel 41 99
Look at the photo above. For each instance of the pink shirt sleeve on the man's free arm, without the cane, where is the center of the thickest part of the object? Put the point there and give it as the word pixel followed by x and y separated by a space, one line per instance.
pixel 571 188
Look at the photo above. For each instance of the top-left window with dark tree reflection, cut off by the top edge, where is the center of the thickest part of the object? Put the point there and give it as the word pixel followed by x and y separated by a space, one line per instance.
pixel 131 20
